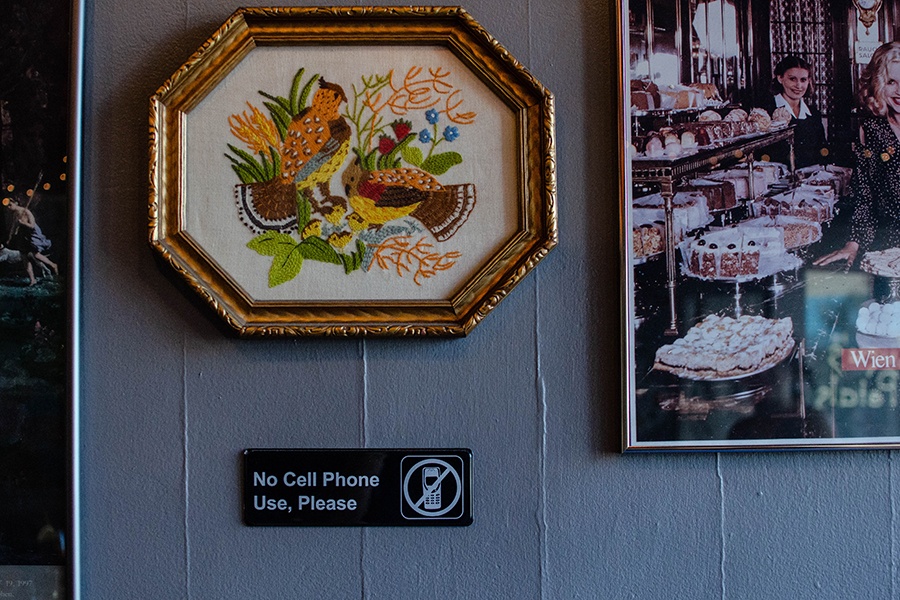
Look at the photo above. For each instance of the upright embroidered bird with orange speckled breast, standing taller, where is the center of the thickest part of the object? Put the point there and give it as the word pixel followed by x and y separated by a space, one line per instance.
pixel 316 144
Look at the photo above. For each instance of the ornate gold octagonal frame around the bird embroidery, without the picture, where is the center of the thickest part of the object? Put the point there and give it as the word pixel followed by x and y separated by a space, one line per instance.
pixel 448 27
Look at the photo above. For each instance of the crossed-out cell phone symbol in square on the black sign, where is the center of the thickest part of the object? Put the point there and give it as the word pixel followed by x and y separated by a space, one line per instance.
pixel 432 488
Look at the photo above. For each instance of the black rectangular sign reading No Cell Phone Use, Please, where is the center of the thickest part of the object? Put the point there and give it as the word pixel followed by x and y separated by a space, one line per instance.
pixel 409 487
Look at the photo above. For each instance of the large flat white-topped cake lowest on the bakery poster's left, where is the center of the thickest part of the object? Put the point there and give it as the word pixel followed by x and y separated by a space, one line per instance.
pixel 722 347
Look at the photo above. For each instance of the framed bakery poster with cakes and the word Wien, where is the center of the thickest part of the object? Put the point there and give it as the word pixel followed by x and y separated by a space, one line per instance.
pixel 761 223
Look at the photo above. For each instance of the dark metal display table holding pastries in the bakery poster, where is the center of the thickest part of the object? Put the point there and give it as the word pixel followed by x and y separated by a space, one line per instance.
pixel 667 171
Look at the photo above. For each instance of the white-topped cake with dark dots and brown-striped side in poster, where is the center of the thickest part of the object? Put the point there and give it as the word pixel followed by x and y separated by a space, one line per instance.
pixel 735 252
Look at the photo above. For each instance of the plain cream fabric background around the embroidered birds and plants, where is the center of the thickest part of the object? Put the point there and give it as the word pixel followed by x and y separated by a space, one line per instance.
pixel 489 146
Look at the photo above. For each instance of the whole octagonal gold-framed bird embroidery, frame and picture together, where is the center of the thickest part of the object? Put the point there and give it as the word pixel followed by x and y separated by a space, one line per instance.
pixel 352 171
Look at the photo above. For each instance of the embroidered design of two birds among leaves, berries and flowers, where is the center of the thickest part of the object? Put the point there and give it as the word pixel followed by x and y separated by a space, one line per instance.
pixel 394 213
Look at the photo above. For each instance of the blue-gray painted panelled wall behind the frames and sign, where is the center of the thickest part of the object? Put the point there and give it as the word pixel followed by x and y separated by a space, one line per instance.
pixel 169 402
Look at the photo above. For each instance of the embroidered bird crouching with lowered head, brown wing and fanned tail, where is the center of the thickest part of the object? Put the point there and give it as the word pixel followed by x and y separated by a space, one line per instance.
pixel 384 195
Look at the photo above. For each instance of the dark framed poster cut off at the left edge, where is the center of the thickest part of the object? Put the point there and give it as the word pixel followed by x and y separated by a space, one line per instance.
pixel 40 104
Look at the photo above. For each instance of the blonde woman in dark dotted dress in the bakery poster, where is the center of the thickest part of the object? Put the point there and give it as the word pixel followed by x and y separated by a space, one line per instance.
pixel 875 224
